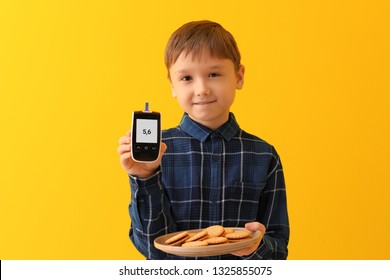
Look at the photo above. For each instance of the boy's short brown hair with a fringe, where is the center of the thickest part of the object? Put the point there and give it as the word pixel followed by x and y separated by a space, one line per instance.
pixel 197 36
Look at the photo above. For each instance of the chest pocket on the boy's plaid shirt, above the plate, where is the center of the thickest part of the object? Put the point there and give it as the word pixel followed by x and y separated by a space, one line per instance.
pixel 241 202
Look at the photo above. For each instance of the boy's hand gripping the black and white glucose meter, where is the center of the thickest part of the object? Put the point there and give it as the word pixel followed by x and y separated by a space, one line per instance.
pixel 138 169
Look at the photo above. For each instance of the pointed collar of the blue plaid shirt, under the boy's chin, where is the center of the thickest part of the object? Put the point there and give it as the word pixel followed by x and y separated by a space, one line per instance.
pixel 201 132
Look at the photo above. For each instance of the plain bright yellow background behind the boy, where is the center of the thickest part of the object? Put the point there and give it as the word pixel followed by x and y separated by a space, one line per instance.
pixel 71 72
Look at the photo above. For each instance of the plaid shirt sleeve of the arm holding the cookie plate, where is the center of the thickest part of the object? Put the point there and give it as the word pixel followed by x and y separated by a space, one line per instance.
pixel 273 214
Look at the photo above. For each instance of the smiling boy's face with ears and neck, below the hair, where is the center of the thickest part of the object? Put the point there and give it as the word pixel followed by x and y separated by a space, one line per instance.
pixel 205 87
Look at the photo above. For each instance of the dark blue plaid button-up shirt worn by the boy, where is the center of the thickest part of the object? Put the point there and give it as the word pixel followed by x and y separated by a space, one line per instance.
pixel 226 177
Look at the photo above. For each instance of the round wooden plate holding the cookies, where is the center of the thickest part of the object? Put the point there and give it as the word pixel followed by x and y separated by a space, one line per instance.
pixel 206 251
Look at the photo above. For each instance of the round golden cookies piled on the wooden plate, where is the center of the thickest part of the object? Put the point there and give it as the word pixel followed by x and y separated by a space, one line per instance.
pixel 212 235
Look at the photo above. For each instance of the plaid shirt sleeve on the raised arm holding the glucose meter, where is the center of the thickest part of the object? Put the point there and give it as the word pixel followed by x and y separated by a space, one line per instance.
pixel 150 214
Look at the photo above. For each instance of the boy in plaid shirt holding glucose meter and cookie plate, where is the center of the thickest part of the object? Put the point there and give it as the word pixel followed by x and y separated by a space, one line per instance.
pixel 209 170
